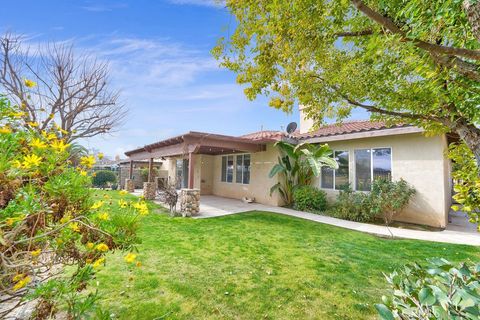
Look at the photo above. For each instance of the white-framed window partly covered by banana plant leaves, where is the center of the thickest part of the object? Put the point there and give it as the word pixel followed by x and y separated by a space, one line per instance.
pixel 336 179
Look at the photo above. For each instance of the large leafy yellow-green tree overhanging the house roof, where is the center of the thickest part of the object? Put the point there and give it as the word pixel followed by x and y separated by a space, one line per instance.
pixel 409 61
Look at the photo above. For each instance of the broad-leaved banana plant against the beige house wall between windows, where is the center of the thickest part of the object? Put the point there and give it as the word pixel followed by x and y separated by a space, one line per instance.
pixel 297 165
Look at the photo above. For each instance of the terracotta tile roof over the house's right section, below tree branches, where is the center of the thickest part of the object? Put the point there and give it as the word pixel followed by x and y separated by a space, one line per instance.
pixel 347 127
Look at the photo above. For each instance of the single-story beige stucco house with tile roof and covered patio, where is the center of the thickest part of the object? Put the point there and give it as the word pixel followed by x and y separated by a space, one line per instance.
pixel 237 167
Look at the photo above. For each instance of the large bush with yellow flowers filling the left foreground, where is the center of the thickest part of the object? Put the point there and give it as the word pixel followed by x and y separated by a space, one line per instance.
pixel 49 219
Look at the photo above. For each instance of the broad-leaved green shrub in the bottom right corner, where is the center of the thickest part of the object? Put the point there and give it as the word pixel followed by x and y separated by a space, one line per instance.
pixel 439 291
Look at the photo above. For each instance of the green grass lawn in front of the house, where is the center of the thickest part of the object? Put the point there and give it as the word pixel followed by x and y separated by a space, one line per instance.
pixel 257 265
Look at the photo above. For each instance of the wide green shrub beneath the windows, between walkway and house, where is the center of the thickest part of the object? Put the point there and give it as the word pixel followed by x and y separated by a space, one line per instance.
pixel 386 199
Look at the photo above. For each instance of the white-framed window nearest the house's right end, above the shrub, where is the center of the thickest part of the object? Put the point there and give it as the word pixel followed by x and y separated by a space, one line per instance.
pixel 371 164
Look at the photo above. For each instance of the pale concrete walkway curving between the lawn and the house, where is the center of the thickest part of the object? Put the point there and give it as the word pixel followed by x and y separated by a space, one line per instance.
pixel 212 206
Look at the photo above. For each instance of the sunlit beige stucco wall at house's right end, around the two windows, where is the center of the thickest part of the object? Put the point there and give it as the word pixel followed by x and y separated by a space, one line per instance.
pixel 422 163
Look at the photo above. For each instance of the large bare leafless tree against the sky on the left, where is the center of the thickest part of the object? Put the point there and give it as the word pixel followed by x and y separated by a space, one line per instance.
pixel 53 84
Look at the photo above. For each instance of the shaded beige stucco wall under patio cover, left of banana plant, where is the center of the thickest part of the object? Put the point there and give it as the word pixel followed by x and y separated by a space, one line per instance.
pixel 260 183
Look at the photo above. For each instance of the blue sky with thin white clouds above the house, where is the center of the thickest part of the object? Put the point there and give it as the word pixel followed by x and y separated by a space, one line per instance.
pixel 159 55
